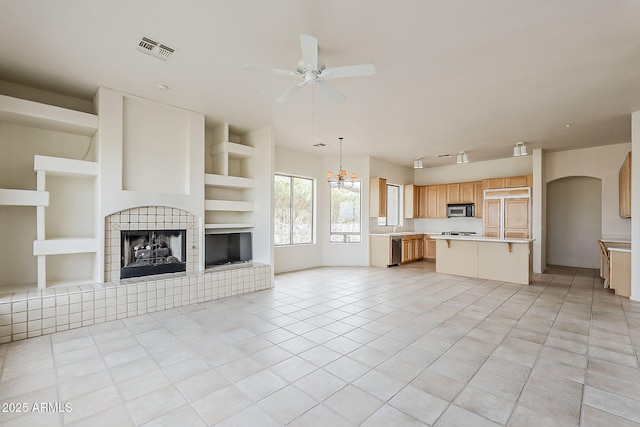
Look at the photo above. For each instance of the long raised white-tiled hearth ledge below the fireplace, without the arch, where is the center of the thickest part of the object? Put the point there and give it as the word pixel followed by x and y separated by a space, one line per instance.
pixel 40 312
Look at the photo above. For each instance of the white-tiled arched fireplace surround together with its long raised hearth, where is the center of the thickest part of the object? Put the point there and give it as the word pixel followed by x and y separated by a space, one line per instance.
pixel 39 312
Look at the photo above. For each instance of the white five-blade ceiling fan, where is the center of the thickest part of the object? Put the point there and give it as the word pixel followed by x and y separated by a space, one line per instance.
pixel 313 71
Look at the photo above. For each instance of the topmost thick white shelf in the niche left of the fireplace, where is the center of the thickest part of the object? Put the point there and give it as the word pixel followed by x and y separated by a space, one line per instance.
pixel 29 113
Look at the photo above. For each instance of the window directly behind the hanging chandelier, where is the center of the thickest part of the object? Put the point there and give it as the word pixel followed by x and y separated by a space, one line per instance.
pixel 345 214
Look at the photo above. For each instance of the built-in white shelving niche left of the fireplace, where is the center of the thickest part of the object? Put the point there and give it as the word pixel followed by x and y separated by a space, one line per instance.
pixel 47 195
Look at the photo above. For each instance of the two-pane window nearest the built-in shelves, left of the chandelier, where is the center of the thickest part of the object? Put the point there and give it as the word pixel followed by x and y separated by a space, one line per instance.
pixel 293 210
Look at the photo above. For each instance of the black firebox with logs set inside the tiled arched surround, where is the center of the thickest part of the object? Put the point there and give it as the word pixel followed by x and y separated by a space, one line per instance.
pixel 148 252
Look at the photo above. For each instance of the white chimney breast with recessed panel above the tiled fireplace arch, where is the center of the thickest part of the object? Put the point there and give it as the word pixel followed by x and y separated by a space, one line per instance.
pixel 120 144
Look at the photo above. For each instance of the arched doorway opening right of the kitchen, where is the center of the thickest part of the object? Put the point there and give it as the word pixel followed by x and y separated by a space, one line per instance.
pixel 574 221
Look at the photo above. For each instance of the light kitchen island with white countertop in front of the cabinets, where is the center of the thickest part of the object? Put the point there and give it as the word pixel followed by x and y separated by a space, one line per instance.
pixel 505 260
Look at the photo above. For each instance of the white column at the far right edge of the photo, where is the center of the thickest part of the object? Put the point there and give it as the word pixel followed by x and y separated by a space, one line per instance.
pixel 635 207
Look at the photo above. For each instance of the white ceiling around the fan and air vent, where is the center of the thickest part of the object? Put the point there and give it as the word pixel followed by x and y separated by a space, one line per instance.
pixel 451 75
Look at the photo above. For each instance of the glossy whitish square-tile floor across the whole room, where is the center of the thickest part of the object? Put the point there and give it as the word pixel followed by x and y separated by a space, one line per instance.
pixel 346 346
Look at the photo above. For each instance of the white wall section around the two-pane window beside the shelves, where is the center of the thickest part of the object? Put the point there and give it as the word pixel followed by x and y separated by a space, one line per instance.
pixel 291 258
